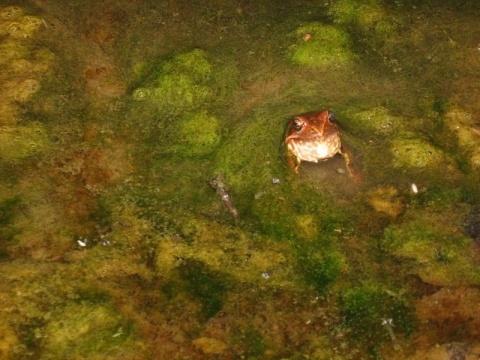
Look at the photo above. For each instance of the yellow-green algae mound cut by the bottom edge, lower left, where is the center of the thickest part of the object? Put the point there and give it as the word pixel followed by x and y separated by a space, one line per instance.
pixel 86 330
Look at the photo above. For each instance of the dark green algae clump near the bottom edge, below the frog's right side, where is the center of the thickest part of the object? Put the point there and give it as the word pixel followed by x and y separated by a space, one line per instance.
pixel 365 308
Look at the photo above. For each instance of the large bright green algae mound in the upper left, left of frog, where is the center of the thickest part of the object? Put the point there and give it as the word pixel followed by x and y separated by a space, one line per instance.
pixel 179 84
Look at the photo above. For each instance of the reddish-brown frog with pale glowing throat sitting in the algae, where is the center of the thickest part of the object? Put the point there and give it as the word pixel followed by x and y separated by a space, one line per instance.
pixel 315 137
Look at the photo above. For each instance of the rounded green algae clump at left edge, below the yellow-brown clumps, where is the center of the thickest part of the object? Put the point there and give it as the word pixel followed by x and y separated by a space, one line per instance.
pixel 21 142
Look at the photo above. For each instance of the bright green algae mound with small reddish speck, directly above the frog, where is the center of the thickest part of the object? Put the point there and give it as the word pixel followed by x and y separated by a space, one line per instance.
pixel 321 46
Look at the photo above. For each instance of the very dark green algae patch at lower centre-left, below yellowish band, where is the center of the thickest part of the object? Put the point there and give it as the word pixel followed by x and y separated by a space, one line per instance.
pixel 204 285
